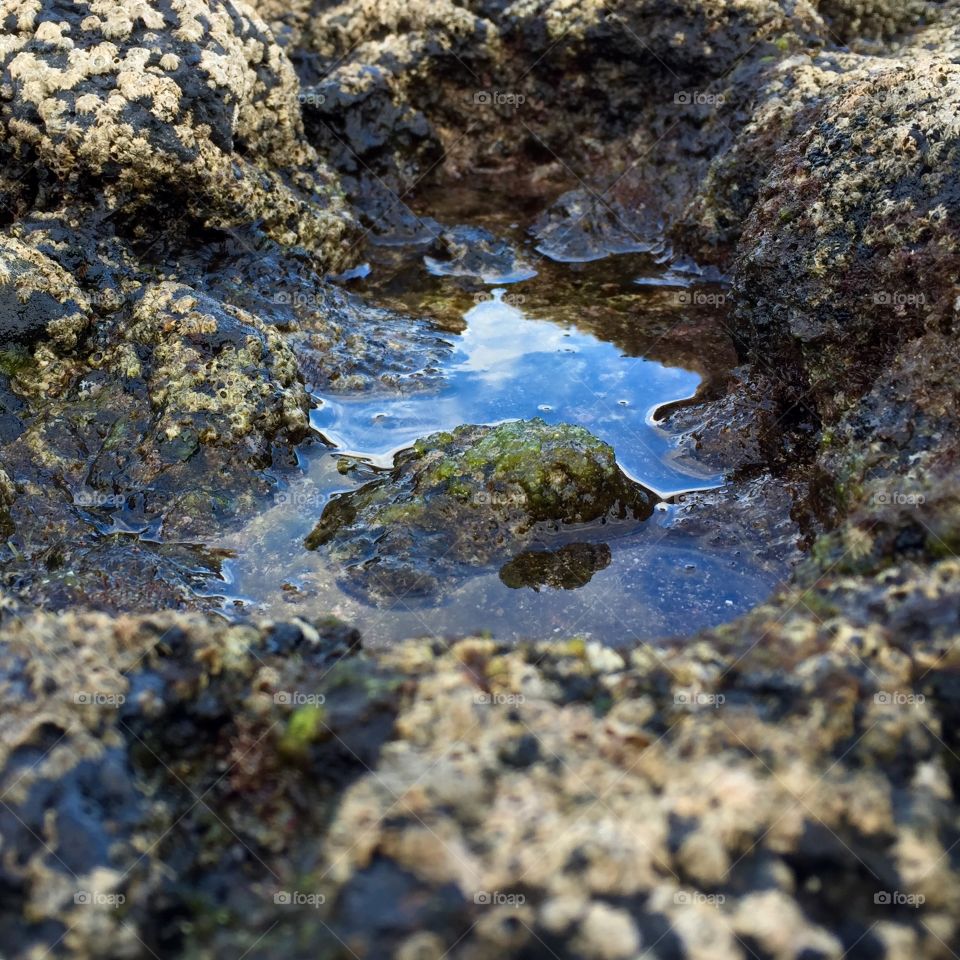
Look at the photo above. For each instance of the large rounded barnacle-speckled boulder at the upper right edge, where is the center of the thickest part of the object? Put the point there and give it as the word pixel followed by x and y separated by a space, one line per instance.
pixel 849 250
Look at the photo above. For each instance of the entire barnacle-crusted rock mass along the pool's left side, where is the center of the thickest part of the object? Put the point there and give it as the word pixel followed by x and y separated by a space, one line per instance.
pixel 166 229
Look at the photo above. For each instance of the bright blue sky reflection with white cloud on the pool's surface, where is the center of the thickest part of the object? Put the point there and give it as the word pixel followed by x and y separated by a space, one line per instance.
pixel 507 366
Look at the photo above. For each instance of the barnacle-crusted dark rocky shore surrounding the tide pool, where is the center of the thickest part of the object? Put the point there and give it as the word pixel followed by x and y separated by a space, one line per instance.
pixel 177 181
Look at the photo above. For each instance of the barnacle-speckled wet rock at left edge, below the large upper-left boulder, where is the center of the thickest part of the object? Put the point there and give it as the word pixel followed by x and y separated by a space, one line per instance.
pixel 166 428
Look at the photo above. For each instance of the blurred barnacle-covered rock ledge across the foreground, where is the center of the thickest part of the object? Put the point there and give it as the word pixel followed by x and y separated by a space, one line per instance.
pixel 482 801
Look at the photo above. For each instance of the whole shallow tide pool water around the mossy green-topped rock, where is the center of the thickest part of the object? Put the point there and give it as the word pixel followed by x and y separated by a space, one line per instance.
pixel 601 344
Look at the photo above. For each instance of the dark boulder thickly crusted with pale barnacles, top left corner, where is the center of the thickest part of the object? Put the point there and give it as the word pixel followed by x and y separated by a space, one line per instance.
pixel 191 110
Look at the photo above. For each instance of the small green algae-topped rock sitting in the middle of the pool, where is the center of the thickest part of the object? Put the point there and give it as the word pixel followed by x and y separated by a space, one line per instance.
pixel 474 497
